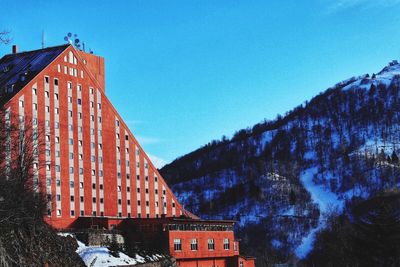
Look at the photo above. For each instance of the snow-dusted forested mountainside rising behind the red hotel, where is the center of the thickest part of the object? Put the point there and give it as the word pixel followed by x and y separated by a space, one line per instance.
pixel 280 178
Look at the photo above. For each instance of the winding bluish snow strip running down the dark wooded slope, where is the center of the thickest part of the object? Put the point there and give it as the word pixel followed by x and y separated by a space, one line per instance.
pixel 325 199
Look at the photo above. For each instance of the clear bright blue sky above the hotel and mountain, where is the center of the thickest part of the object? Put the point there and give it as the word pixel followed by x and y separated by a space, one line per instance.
pixel 182 73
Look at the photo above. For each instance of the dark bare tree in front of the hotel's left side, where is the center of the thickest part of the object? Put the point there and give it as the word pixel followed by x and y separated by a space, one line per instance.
pixel 25 238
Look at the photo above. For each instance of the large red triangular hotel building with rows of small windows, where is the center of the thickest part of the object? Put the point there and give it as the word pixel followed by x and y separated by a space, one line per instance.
pixel 95 169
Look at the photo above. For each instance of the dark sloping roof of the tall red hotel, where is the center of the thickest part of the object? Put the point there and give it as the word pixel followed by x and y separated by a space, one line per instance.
pixel 17 70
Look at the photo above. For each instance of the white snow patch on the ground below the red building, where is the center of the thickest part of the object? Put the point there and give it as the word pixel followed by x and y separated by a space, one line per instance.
pixel 100 257
